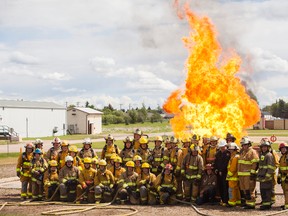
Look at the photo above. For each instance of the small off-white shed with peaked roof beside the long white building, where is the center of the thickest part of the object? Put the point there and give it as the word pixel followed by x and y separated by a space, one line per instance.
pixel 82 120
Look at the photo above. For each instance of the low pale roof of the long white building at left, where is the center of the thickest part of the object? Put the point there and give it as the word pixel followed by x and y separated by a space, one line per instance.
pixel 29 104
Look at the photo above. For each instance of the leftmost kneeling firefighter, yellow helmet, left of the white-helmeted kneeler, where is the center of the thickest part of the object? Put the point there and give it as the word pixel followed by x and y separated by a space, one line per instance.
pixel 51 180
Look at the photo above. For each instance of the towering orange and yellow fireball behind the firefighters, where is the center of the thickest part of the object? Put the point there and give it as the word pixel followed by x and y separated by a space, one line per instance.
pixel 213 101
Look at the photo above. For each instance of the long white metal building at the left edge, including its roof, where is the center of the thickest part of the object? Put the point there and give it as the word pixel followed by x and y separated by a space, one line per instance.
pixel 33 119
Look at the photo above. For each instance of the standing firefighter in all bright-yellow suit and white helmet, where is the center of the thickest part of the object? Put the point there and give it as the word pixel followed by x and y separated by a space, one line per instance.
pixel 232 176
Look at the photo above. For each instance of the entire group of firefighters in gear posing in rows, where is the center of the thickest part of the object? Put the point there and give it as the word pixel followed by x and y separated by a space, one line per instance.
pixel 207 170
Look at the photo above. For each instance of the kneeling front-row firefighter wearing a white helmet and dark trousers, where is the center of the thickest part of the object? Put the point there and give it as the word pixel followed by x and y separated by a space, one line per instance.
pixel 68 178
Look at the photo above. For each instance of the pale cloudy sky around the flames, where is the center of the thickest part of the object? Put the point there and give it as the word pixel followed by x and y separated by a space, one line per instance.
pixel 130 52
